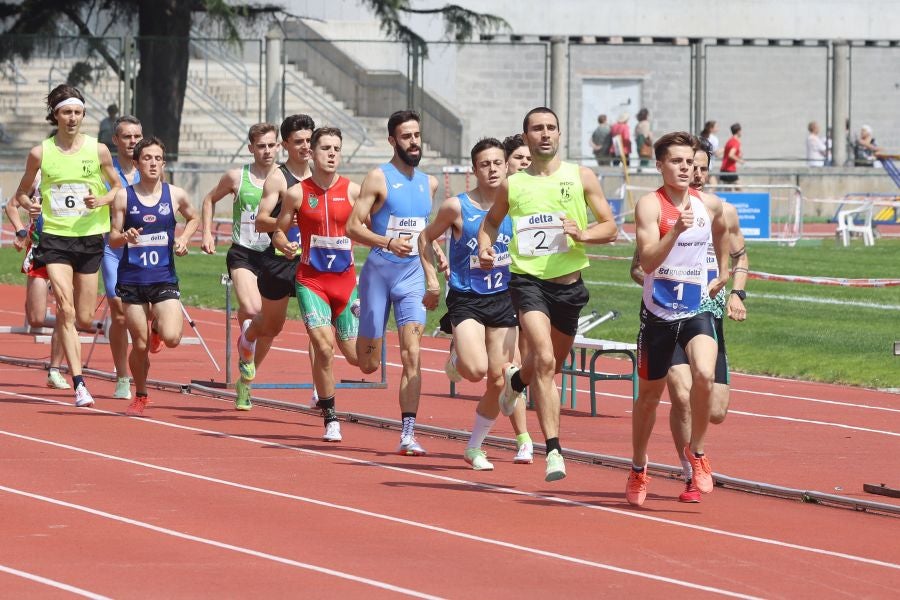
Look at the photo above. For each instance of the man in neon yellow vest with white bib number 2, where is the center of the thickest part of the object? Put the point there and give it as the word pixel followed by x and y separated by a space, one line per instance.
pixel 548 206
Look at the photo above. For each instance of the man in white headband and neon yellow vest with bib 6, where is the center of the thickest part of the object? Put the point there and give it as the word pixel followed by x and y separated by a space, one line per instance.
pixel 76 215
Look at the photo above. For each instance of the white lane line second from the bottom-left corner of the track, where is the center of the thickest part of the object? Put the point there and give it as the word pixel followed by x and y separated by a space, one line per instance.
pixel 222 545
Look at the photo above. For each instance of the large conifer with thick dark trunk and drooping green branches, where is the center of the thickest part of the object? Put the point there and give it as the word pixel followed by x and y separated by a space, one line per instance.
pixel 163 33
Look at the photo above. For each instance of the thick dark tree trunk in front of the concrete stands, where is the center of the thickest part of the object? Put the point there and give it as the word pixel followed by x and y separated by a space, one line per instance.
pixel 163 45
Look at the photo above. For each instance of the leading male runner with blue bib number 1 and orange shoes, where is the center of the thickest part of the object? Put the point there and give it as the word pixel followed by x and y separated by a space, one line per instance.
pixel 674 227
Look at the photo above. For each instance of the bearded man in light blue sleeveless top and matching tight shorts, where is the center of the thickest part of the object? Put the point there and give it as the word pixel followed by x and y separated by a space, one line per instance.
pixel 397 197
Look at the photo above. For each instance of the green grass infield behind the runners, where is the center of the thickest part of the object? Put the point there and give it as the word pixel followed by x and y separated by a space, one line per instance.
pixel 813 332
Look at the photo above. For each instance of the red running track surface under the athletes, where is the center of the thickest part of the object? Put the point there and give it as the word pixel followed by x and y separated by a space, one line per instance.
pixel 108 504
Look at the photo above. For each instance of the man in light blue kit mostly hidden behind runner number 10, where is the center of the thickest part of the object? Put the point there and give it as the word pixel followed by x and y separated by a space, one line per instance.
pixel 126 134
